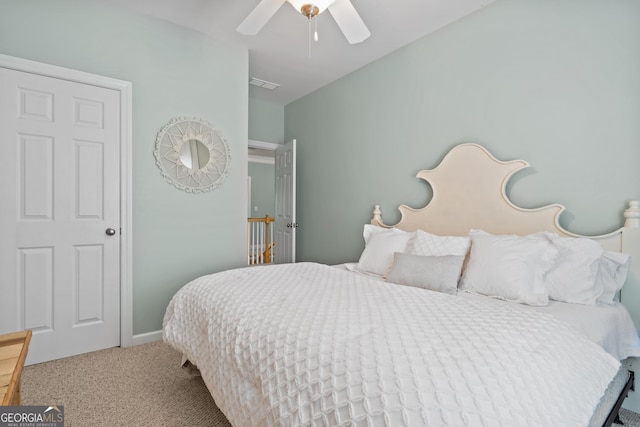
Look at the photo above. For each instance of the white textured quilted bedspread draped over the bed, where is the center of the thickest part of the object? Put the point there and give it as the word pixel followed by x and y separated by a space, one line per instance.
pixel 308 344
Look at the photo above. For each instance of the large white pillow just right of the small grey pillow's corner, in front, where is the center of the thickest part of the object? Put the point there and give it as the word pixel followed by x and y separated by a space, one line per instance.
pixel 509 267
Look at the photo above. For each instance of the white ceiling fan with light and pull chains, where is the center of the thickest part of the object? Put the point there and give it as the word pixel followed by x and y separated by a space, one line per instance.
pixel 342 11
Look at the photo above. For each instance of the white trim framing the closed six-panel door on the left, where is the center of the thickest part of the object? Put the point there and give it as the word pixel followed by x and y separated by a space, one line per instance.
pixel 126 149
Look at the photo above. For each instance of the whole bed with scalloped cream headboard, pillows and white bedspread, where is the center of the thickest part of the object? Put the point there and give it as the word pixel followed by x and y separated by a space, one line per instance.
pixel 469 312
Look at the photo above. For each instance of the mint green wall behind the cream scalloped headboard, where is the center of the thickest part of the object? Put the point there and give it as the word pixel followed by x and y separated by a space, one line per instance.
pixel 554 83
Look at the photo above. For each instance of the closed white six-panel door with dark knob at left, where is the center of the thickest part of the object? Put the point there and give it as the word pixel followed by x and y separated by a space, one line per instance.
pixel 60 214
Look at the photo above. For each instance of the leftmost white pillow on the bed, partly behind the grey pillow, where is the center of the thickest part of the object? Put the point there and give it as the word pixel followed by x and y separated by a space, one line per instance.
pixel 379 246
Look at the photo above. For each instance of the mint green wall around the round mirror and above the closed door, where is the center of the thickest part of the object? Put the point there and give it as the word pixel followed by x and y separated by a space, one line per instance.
pixel 176 236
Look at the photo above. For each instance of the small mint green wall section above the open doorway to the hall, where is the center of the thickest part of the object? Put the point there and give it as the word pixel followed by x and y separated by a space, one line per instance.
pixel 266 121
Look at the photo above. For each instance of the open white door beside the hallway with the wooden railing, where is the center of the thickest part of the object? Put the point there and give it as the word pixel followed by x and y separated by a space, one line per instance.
pixel 285 224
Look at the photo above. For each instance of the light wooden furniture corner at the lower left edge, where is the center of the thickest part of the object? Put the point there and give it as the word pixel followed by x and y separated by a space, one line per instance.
pixel 13 352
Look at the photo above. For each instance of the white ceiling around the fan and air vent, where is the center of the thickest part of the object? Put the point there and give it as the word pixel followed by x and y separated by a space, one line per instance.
pixel 279 52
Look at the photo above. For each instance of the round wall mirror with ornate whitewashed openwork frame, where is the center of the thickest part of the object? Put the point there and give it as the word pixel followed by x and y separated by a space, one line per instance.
pixel 192 154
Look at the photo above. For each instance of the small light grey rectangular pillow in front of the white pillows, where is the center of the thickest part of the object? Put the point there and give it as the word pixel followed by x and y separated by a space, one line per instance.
pixel 436 273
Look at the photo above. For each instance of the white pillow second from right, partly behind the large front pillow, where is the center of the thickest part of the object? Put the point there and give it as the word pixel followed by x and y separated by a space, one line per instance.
pixel 573 277
